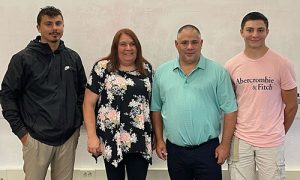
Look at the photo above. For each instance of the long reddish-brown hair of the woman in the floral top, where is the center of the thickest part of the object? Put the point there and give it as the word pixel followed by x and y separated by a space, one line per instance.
pixel 114 64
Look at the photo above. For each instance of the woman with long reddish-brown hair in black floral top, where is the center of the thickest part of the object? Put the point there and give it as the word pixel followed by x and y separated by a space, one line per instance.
pixel 119 89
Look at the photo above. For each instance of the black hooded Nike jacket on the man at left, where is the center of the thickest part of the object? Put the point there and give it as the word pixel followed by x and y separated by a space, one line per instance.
pixel 42 92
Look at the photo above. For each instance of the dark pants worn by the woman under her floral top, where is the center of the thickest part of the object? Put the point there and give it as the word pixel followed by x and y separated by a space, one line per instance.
pixel 136 168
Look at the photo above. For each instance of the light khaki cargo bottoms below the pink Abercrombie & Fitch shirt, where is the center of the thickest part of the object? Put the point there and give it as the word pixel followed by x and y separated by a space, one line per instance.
pixel 244 159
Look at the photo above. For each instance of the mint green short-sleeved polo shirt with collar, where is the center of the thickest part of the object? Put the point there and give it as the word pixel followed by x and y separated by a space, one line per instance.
pixel 192 106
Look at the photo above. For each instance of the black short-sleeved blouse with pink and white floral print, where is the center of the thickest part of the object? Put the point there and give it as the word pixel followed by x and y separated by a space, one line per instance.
pixel 123 112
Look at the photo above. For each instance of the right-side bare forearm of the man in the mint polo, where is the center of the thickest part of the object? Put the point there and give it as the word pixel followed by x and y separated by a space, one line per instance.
pixel 228 128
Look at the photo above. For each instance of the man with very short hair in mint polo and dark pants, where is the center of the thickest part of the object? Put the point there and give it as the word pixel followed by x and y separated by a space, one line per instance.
pixel 189 96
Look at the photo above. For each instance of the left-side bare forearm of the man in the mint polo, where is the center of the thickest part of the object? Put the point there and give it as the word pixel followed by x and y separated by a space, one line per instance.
pixel 157 125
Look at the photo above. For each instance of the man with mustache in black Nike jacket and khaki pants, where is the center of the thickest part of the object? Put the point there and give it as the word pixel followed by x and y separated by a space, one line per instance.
pixel 41 97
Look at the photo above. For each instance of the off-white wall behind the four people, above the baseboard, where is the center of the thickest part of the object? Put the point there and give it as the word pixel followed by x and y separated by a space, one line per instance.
pixel 91 24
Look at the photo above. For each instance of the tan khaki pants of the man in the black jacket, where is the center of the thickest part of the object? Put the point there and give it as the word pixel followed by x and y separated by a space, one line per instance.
pixel 38 156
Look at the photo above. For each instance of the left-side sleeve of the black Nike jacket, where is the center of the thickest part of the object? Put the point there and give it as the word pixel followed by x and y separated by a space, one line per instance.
pixel 10 94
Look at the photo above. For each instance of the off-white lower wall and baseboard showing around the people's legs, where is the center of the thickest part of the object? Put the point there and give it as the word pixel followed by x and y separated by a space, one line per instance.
pixel 11 162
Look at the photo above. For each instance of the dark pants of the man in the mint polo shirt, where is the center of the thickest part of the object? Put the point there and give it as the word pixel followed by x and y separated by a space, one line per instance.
pixel 197 162
